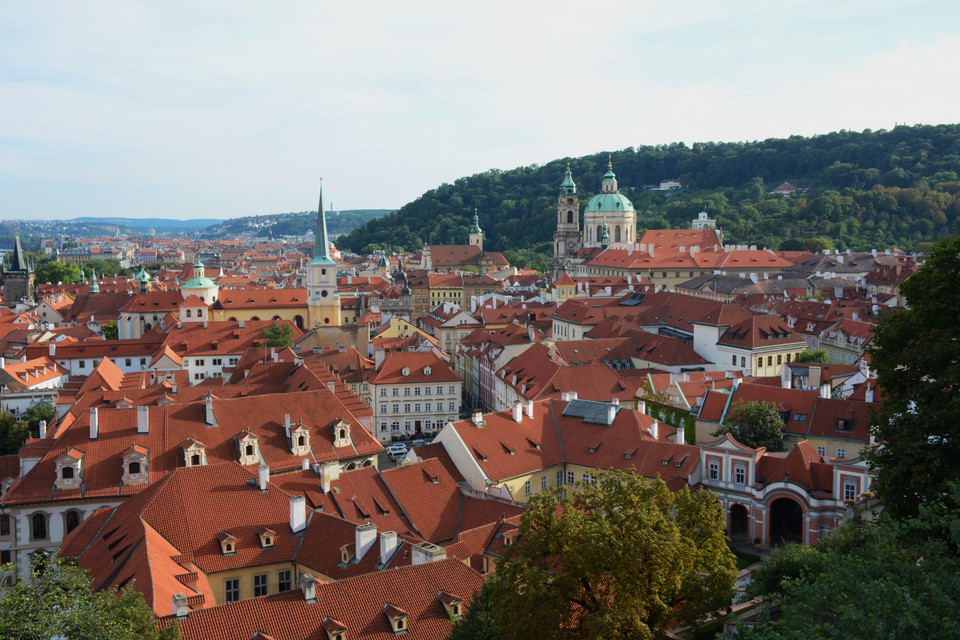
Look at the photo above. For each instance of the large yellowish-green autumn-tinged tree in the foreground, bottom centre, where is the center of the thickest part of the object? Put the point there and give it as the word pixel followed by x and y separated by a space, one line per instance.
pixel 622 557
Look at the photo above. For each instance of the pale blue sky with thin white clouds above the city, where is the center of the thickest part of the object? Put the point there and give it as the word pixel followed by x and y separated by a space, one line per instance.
pixel 216 109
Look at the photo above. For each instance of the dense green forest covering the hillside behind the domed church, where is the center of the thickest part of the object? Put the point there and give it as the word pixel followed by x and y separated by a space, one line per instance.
pixel 873 189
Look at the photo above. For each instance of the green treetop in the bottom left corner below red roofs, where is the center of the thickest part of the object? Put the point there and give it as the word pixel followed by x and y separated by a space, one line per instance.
pixel 58 602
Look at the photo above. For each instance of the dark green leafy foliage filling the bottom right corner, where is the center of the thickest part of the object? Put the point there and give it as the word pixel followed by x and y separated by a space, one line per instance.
pixel 885 579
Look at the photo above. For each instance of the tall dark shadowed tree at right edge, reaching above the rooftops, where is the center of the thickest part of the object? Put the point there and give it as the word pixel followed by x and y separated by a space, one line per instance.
pixel 916 354
